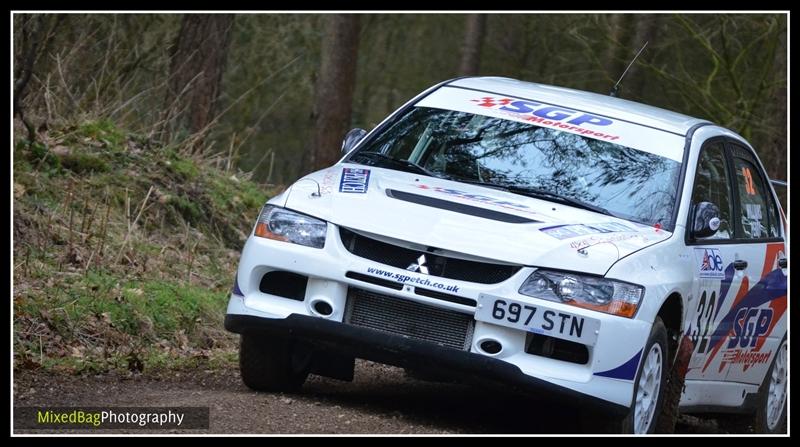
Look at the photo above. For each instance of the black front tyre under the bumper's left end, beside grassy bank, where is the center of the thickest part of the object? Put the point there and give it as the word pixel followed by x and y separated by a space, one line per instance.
pixel 268 363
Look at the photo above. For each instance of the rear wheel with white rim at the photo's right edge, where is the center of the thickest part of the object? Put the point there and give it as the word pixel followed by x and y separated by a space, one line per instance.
pixel 770 415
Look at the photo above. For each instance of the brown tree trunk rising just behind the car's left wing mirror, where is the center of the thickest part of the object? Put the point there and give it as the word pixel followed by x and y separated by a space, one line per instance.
pixel 333 96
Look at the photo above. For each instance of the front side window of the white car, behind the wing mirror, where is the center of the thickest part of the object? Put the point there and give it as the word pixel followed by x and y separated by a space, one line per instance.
pixel 711 184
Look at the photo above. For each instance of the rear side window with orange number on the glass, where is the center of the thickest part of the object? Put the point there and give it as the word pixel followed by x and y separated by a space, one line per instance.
pixel 757 214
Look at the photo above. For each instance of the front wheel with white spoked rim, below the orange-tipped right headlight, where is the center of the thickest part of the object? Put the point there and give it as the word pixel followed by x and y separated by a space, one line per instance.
pixel 650 385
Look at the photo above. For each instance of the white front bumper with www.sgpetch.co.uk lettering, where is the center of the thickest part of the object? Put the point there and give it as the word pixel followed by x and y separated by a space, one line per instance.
pixel 607 375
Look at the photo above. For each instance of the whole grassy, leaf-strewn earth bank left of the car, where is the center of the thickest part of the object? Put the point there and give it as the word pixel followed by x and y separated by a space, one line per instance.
pixel 124 252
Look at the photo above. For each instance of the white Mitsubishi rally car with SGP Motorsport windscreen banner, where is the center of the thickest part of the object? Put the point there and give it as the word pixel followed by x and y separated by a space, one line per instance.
pixel 541 238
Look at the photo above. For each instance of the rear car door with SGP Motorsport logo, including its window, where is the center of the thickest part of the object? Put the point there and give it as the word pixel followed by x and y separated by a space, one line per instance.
pixel 758 317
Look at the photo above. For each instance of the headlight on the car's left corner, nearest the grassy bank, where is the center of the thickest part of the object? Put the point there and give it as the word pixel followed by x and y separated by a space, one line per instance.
pixel 289 226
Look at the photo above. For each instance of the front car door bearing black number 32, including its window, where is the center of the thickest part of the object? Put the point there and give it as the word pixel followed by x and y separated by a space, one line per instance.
pixel 716 282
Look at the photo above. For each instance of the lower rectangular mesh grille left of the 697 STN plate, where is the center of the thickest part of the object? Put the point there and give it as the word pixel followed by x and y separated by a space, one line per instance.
pixel 409 319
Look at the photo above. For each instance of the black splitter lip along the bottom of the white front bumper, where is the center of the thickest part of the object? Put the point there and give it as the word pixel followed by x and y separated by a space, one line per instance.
pixel 409 353
